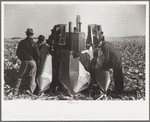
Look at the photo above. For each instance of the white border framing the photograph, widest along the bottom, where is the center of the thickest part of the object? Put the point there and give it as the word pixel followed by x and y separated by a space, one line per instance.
pixel 84 110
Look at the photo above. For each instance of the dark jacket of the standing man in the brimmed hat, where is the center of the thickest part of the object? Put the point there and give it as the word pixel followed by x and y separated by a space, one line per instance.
pixel 28 50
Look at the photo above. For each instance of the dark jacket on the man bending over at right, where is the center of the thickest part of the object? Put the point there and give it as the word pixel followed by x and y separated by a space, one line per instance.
pixel 112 56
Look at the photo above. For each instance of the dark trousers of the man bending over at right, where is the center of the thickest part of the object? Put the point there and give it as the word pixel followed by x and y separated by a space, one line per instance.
pixel 118 79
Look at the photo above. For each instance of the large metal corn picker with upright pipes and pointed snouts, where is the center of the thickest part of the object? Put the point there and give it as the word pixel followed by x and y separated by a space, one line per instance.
pixel 72 54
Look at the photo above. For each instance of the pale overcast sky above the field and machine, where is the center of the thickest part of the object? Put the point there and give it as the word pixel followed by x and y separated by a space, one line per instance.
pixel 116 20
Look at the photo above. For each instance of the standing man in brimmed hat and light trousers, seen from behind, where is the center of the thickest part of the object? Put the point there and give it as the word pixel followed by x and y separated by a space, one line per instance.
pixel 28 53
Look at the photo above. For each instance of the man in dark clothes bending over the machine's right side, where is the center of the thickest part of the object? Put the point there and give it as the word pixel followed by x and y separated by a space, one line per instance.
pixel 113 59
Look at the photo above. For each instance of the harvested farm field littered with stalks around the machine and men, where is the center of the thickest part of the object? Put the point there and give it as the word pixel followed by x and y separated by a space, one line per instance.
pixel 133 56
